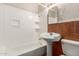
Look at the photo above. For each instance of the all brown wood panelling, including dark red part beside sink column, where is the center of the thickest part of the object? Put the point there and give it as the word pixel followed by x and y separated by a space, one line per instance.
pixel 68 30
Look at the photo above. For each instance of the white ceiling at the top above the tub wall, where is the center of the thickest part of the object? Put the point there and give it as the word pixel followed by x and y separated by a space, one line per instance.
pixel 33 7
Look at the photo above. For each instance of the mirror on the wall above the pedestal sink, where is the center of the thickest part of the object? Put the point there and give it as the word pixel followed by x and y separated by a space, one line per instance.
pixel 53 15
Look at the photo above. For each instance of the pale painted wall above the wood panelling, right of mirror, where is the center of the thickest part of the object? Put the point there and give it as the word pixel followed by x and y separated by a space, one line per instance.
pixel 69 11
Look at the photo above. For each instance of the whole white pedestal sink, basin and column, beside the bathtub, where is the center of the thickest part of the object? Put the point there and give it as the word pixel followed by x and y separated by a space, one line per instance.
pixel 50 38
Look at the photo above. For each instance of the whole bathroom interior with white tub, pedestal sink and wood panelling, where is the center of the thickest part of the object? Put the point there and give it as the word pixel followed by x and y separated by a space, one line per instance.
pixel 22 26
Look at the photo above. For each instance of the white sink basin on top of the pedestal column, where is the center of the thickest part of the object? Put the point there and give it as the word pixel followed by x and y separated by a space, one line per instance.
pixel 50 37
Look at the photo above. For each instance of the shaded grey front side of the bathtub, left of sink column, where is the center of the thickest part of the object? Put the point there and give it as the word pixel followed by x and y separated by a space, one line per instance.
pixel 37 52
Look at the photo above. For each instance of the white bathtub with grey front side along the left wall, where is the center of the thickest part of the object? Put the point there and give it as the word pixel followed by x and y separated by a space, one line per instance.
pixel 36 51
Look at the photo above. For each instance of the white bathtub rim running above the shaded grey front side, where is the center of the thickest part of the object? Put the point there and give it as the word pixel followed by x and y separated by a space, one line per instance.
pixel 20 52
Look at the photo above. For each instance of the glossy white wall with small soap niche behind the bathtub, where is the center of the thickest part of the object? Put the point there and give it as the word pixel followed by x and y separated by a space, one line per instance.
pixel 17 30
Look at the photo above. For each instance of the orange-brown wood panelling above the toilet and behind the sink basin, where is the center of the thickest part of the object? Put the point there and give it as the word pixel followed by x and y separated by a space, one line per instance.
pixel 68 30
